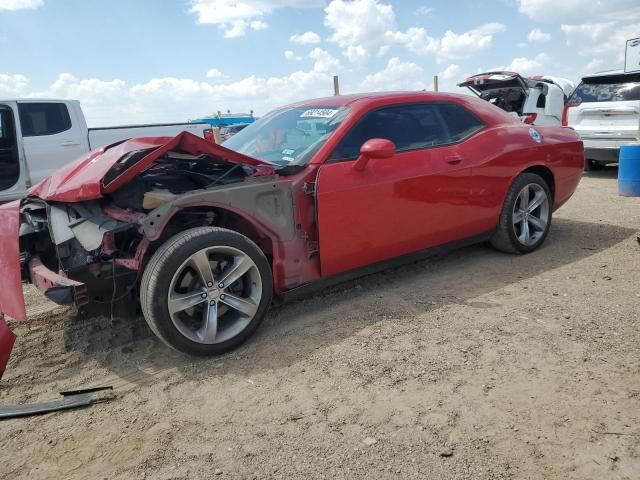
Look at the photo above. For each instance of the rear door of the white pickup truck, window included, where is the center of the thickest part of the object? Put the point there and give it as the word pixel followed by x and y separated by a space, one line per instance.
pixel 50 139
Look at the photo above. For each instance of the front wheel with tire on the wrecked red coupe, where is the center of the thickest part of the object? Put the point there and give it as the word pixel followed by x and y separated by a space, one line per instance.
pixel 206 290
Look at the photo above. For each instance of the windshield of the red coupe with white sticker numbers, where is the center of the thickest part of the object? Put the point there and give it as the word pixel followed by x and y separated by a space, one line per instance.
pixel 288 136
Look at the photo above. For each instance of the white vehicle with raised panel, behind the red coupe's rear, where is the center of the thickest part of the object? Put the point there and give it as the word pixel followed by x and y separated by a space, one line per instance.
pixel 536 100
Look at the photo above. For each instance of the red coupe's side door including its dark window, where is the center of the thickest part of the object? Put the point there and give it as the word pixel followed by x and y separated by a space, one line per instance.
pixel 396 205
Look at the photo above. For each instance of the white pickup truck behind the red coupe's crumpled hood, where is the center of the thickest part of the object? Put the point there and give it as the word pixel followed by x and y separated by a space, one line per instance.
pixel 37 137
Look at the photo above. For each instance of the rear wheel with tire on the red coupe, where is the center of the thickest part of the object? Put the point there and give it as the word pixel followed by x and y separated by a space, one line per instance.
pixel 526 215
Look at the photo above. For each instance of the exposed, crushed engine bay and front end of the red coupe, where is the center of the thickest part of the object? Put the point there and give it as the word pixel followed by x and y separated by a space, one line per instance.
pixel 100 243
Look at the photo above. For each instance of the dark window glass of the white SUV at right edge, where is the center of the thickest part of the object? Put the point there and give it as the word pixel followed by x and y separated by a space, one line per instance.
pixel 608 89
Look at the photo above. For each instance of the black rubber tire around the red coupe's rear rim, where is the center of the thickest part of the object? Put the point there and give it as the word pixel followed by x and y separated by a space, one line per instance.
pixel 505 238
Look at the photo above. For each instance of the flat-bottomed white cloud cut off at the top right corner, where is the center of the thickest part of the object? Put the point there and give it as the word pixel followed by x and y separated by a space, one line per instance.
pixel 580 11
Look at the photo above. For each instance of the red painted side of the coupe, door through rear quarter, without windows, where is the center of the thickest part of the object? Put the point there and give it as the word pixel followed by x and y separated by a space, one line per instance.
pixel 424 198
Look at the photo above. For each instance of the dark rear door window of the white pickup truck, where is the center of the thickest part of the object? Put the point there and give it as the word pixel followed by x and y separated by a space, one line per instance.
pixel 38 119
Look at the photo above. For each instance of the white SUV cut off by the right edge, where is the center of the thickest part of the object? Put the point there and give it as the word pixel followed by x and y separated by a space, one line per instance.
pixel 605 111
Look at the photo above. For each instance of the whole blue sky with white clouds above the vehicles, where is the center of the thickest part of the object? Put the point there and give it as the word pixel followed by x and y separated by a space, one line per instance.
pixel 145 60
